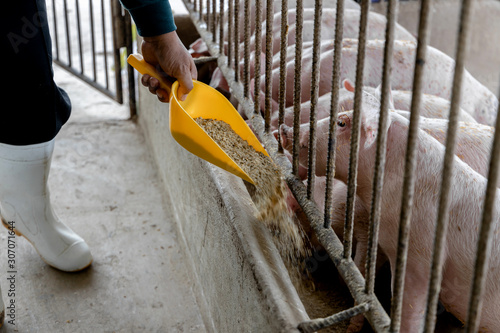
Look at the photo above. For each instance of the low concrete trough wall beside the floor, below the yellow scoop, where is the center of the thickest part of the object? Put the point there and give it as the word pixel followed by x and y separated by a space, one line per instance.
pixel 242 284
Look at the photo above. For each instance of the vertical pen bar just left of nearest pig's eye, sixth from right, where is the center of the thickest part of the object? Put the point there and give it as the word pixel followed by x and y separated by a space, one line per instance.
pixel 334 109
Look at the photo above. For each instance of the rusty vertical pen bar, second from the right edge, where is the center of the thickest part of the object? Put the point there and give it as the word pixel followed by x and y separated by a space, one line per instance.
pixel 447 180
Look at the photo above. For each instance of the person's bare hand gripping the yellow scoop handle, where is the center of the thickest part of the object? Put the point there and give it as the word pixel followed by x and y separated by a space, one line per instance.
pixel 167 51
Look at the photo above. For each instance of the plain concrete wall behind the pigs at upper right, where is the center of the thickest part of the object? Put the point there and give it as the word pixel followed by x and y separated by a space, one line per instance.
pixel 483 61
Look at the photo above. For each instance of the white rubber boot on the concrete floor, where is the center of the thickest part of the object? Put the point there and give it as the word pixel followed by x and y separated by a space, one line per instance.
pixel 25 200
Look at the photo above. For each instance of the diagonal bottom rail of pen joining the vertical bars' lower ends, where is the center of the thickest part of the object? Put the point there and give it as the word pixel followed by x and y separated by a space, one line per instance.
pixel 377 316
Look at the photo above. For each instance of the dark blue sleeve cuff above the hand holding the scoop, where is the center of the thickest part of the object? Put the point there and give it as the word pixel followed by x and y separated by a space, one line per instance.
pixel 152 17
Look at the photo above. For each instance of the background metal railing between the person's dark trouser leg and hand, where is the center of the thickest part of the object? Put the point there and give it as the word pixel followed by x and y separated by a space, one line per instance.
pixel 99 64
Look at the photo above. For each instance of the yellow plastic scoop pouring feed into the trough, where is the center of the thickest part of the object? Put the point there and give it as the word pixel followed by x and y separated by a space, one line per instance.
pixel 205 102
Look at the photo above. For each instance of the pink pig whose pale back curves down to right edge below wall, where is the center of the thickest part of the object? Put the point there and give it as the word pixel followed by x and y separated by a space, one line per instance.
pixel 477 101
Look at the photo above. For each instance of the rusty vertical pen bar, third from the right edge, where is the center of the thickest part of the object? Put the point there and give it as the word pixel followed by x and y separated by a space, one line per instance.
pixel 410 159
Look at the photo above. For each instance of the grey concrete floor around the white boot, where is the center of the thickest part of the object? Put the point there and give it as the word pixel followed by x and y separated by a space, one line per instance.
pixel 105 186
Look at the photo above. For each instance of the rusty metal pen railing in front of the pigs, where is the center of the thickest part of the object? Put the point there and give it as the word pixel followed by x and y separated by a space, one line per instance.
pixel 225 45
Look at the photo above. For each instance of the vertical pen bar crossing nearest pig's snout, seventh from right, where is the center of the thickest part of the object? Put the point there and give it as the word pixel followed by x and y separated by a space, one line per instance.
pixel 311 171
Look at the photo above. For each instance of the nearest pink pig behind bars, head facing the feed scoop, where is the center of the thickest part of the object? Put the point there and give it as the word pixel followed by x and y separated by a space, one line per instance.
pixel 465 214
